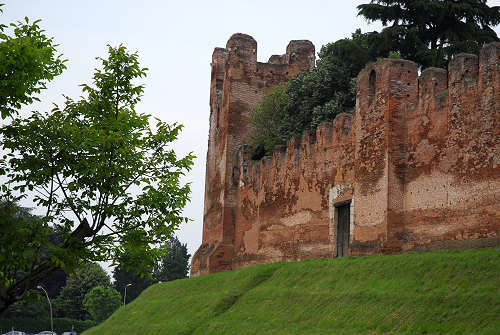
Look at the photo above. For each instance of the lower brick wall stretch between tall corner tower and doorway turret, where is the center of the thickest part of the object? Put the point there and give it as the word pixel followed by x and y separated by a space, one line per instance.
pixel 283 200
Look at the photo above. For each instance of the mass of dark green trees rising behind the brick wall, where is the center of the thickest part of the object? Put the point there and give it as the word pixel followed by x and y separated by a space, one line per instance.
pixel 427 32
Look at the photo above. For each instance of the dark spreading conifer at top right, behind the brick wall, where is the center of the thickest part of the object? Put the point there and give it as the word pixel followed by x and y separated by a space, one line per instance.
pixel 429 32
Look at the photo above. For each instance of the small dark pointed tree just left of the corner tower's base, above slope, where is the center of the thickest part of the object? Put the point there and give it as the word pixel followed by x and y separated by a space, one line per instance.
pixel 174 264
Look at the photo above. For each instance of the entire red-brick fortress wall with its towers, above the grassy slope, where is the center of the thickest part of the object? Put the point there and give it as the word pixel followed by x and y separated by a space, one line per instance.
pixel 417 165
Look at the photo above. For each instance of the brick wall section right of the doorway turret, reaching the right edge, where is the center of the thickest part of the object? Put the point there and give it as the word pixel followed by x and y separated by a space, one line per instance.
pixel 451 191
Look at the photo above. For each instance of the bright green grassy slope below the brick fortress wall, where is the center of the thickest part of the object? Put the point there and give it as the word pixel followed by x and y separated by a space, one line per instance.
pixel 453 292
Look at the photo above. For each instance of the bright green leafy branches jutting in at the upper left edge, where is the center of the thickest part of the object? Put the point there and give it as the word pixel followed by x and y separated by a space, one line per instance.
pixel 28 59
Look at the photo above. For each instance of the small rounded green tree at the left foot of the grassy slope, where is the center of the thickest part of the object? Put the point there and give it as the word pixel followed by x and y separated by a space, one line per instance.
pixel 101 302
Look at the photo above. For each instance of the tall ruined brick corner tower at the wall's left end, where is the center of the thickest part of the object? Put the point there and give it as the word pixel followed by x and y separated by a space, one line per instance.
pixel 238 83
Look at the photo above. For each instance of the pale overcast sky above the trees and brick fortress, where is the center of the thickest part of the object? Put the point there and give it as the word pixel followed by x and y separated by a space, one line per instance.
pixel 175 40
